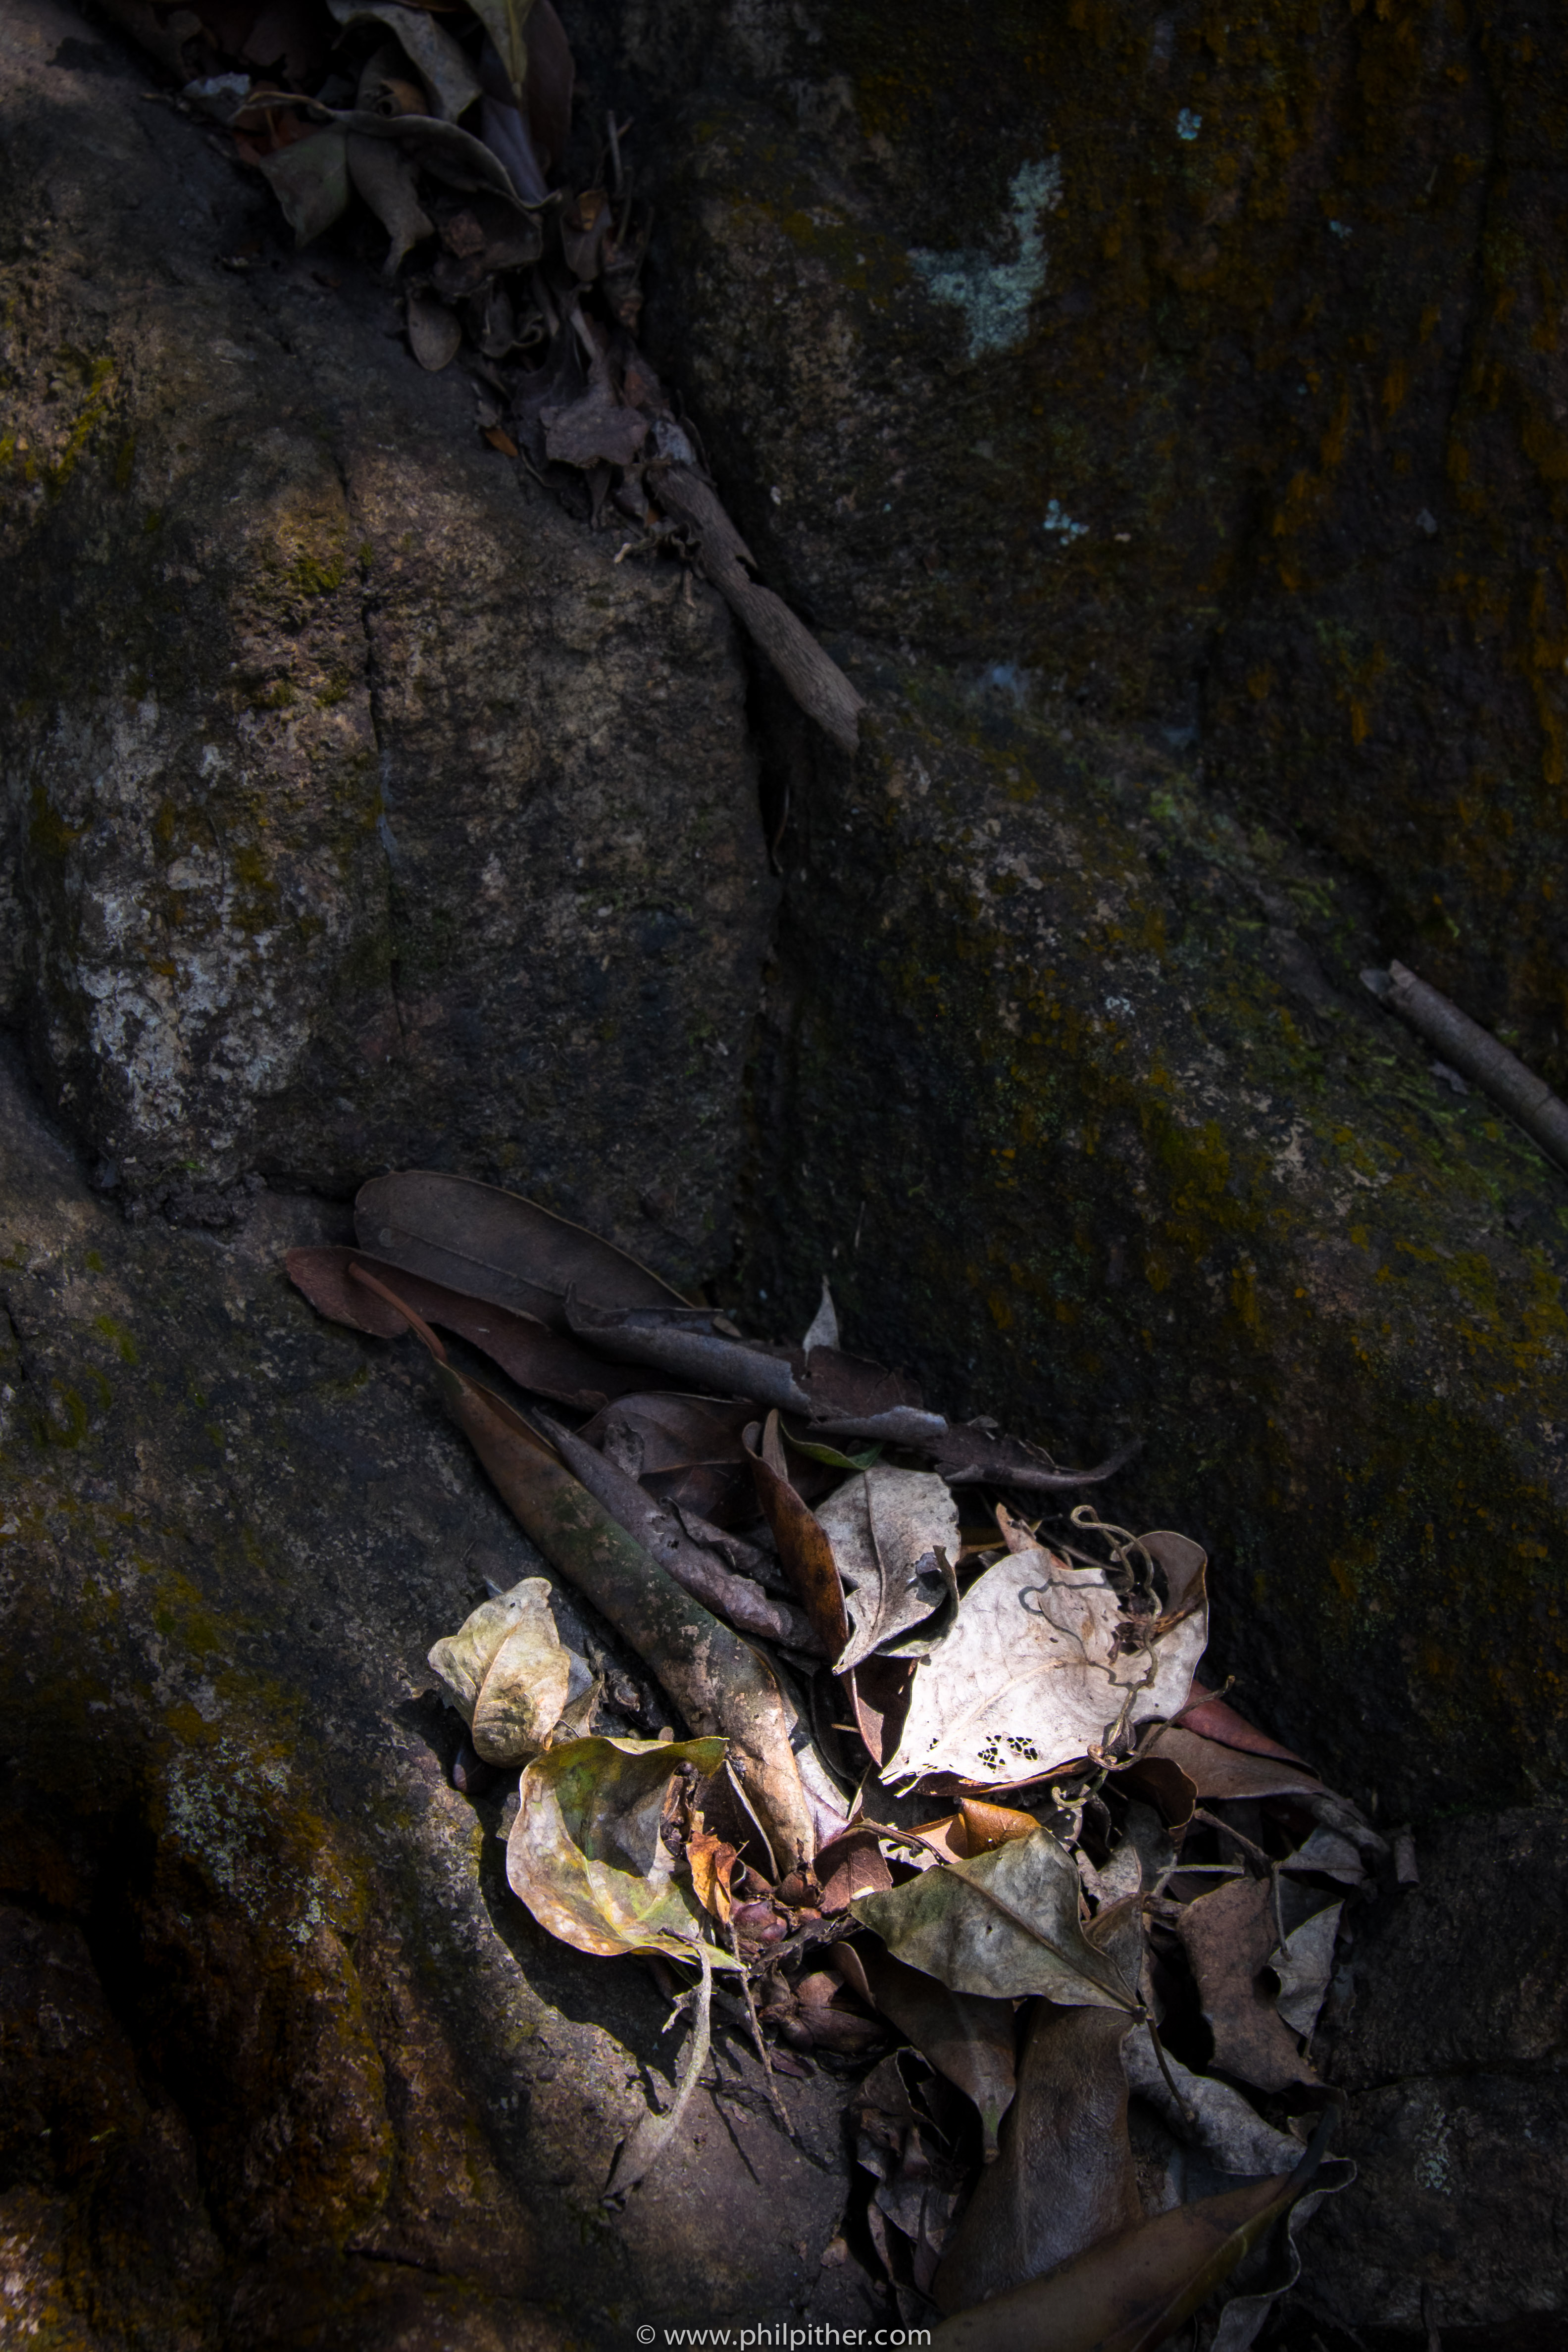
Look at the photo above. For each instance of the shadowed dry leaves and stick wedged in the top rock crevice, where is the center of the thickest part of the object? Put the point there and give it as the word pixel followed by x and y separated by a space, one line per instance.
pixel 450 123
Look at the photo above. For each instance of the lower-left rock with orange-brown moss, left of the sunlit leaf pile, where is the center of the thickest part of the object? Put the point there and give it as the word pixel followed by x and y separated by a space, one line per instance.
pixel 283 2059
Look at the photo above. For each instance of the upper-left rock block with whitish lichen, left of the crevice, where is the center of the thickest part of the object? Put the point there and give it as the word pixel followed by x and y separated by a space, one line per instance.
pixel 359 808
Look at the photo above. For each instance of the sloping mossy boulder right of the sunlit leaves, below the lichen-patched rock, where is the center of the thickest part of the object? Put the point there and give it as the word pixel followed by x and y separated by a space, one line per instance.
pixel 1076 1095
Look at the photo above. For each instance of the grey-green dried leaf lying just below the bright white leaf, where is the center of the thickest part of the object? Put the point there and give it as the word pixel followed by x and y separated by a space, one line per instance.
pixel 1003 1925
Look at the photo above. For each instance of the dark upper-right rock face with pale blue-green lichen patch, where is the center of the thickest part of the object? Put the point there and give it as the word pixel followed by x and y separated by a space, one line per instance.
pixel 1195 366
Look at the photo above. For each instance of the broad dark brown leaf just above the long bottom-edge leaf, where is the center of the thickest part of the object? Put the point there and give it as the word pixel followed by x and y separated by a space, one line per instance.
pixel 1066 2172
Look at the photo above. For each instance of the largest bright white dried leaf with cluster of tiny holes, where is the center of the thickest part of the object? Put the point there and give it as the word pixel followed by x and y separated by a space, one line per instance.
pixel 1045 1666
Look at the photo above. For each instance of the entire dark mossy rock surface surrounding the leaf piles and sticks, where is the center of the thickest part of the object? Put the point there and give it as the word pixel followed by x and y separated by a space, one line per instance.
pixel 1160 415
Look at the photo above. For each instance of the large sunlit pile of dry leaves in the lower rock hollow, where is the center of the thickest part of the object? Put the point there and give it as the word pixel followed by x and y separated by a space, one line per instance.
pixel 939 1789
